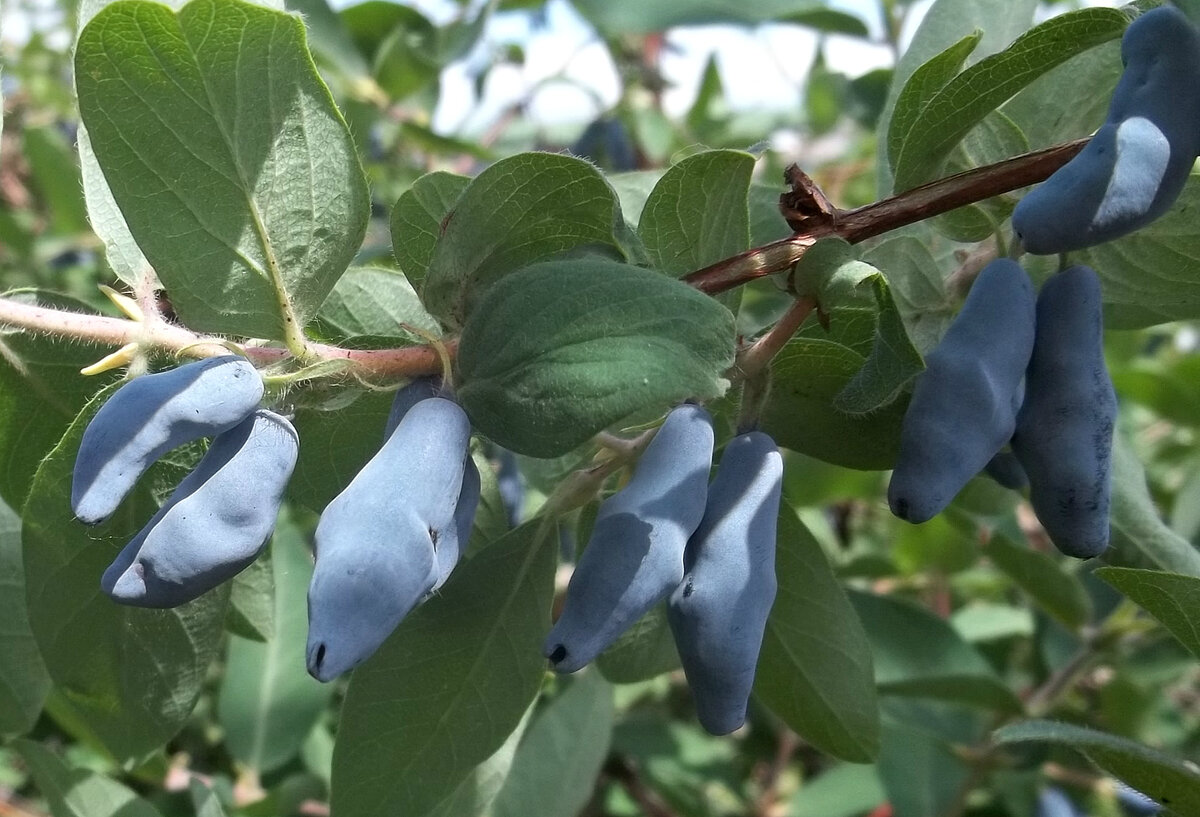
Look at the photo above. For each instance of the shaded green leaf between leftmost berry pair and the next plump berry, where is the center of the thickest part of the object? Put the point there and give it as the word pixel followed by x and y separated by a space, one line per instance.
pixel 338 443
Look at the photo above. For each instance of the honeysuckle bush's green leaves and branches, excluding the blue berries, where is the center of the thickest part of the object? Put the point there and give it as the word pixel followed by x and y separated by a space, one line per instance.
pixel 251 178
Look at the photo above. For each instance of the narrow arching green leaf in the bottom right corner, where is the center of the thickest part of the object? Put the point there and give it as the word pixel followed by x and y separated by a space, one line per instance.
pixel 1161 777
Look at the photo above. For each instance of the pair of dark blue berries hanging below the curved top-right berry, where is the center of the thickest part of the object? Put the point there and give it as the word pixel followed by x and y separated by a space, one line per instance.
pixel 1031 375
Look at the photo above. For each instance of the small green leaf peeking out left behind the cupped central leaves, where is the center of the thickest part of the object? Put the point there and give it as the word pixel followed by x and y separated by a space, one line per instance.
pixel 418 218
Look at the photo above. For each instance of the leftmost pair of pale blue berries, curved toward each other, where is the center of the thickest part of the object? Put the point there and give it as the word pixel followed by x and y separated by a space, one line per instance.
pixel 223 514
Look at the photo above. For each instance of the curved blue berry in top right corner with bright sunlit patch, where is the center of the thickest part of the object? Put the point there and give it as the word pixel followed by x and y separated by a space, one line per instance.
pixel 1136 166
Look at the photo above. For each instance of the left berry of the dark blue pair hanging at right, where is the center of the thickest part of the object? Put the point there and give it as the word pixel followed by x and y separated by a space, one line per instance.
pixel 964 407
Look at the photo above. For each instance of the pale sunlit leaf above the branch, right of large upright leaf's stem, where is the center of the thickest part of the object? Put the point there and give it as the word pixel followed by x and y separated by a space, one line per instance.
pixel 374 302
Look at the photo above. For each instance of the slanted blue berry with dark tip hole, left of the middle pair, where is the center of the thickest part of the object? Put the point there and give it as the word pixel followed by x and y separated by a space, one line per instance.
pixel 635 555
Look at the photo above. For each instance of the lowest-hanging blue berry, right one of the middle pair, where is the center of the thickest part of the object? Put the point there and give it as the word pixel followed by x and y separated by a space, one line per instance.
pixel 719 612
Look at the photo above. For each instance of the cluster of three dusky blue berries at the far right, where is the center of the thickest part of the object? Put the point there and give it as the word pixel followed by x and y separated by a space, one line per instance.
pixel 1031 376
